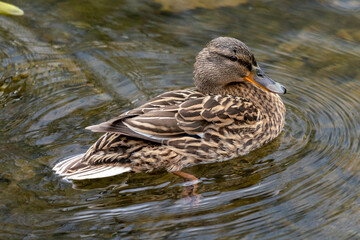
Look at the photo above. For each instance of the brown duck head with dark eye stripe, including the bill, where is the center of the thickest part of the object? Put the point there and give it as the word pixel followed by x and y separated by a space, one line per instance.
pixel 226 61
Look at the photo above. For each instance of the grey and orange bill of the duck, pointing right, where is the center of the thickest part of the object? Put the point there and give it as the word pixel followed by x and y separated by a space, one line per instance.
pixel 259 78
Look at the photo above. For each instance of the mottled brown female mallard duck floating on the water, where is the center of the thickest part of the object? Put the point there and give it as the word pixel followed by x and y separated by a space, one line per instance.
pixel 234 109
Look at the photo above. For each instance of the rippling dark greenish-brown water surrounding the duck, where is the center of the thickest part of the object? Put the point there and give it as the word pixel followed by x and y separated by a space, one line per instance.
pixel 66 65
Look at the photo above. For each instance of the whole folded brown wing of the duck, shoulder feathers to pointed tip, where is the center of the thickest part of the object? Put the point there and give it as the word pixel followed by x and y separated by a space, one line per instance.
pixel 180 113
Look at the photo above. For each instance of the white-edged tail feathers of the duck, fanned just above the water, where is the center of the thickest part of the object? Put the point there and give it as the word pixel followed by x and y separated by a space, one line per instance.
pixel 72 168
